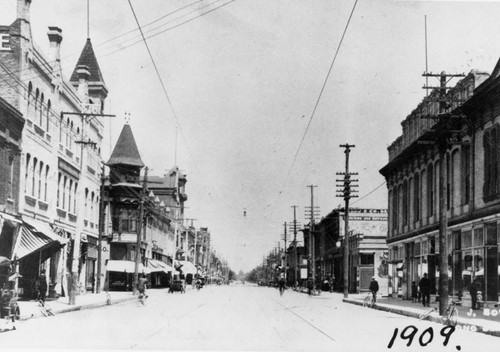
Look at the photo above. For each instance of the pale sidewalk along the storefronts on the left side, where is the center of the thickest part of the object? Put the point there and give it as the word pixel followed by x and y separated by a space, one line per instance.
pixel 31 309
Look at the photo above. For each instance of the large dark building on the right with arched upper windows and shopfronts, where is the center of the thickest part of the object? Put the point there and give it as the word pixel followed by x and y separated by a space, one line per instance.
pixel 473 197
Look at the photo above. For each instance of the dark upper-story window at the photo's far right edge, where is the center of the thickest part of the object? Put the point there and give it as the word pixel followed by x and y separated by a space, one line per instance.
pixel 491 173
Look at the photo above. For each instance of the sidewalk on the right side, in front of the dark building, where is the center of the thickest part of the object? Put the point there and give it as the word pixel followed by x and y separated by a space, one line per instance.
pixel 483 320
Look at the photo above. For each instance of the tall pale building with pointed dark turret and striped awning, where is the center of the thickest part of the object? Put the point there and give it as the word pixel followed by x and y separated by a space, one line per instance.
pixel 58 178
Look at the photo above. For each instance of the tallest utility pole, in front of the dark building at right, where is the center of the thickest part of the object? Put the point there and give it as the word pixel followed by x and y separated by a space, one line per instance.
pixel 444 140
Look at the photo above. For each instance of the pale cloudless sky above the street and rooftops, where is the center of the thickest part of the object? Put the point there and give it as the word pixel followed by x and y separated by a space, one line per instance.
pixel 245 78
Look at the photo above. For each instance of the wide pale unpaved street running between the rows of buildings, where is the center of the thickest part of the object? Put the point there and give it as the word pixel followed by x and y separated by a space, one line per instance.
pixel 238 318
